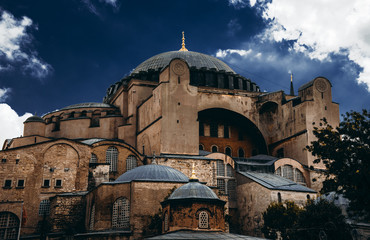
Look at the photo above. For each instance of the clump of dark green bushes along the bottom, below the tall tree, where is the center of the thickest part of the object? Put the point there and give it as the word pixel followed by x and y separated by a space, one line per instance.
pixel 289 221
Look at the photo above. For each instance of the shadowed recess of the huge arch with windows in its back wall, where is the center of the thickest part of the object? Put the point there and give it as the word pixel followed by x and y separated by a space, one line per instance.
pixel 225 128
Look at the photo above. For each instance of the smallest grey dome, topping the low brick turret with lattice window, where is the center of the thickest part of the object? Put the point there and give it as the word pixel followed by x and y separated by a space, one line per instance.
pixel 193 190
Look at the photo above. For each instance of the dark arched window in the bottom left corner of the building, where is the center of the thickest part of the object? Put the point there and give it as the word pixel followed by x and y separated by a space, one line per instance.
pixel 9 224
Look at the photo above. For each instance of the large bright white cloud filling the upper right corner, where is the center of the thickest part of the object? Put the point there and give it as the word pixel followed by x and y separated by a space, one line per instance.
pixel 321 28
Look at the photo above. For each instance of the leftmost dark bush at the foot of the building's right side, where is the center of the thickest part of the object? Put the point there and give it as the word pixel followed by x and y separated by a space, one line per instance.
pixel 279 219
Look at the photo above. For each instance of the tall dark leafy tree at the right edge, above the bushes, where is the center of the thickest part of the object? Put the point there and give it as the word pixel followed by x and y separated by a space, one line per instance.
pixel 345 151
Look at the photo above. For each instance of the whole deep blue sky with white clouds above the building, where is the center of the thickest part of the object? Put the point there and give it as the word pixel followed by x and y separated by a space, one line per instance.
pixel 63 52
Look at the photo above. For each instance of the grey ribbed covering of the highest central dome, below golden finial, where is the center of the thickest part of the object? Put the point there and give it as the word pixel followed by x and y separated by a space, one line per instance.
pixel 193 59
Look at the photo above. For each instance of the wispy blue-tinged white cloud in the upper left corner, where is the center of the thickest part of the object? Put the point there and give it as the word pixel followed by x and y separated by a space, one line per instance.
pixel 14 40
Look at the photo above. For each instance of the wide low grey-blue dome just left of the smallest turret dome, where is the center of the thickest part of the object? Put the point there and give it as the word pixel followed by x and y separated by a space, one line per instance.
pixel 153 173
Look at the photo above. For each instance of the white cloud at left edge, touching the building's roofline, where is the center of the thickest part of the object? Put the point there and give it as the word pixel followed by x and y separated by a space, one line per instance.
pixel 11 125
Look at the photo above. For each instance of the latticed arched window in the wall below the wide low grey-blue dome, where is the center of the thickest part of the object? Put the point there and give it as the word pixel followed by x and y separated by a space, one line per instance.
pixel 121 213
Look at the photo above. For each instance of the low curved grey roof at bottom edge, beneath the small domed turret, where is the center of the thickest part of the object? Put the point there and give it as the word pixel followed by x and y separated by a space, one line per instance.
pixel 186 234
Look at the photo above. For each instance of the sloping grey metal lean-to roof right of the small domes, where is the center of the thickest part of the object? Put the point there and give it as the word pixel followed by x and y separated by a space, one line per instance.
pixel 275 182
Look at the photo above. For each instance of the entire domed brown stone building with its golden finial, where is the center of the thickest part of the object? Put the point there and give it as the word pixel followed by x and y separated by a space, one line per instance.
pixel 182 146
